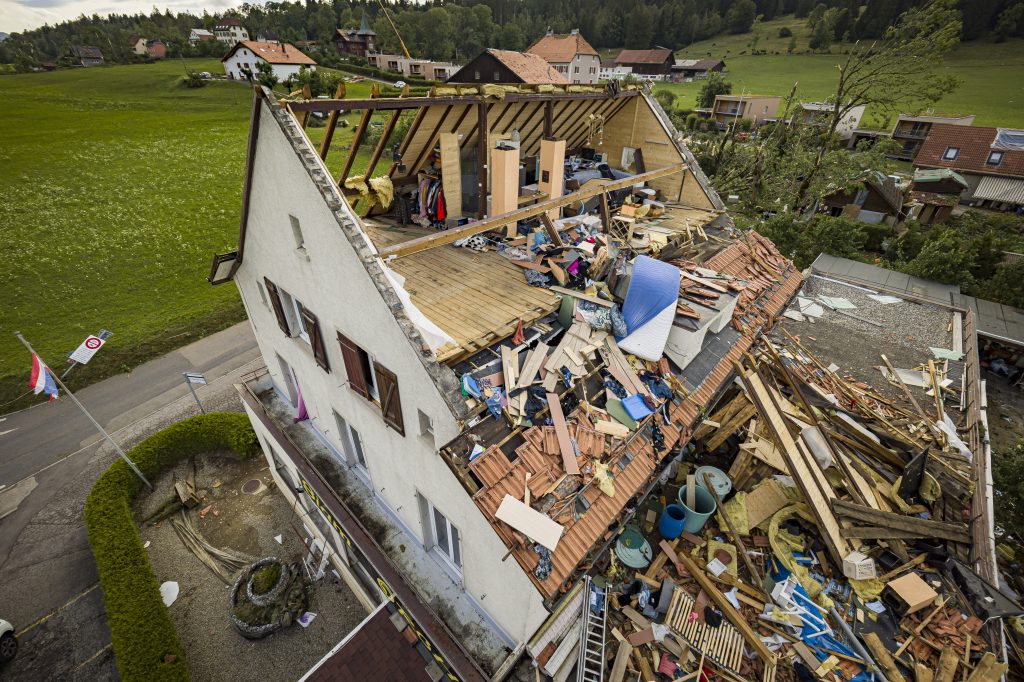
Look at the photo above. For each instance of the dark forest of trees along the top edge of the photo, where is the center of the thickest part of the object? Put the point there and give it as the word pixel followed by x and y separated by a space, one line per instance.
pixel 460 29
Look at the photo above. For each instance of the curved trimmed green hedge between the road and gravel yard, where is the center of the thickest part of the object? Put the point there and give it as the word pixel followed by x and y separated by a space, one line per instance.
pixel 146 644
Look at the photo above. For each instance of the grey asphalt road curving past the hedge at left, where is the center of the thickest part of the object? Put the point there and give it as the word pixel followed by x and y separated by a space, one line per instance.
pixel 49 460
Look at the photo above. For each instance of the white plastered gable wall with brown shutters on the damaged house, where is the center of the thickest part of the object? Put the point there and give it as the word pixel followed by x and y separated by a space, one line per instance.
pixel 330 280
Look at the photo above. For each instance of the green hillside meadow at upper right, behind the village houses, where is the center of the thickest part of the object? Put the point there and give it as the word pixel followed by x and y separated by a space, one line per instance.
pixel 993 74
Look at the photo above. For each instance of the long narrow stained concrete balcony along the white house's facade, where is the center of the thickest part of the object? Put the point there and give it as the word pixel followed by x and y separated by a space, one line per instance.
pixel 419 570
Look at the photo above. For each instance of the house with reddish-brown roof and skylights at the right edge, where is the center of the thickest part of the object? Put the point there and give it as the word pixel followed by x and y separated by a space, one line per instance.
pixel 991 160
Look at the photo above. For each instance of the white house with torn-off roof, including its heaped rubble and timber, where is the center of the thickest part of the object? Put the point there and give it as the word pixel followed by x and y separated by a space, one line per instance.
pixel 507 396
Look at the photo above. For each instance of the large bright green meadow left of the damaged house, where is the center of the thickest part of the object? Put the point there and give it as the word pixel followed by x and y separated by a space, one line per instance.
pixel 118 186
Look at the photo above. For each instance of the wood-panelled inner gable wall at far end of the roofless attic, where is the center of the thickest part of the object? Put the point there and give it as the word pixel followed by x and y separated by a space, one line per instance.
pixel 636 126
